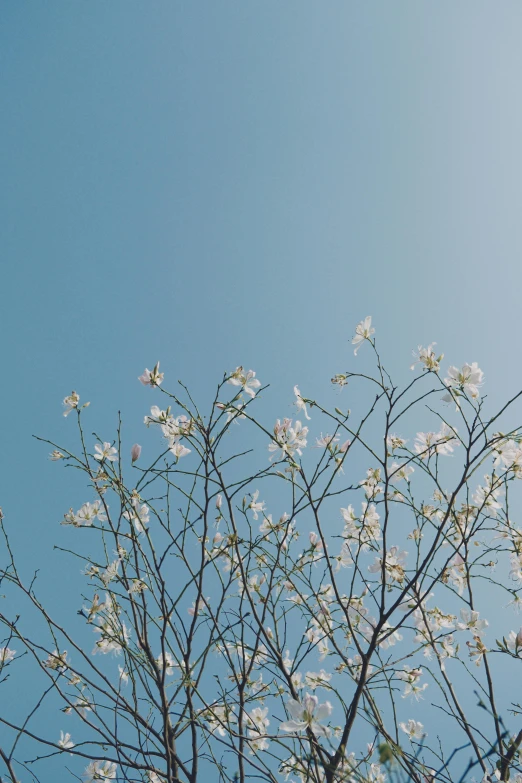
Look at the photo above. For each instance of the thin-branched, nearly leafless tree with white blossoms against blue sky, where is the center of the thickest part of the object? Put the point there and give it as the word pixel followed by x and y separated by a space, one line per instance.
pixel 278 613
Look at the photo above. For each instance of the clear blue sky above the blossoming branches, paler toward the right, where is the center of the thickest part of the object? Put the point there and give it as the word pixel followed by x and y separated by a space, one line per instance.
pixel 221 183
